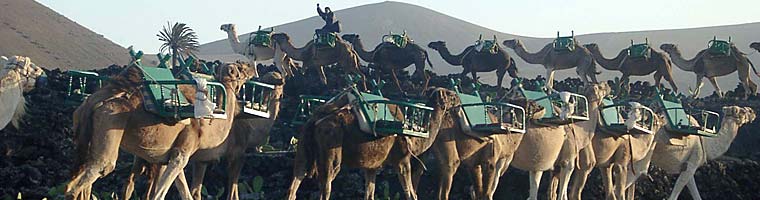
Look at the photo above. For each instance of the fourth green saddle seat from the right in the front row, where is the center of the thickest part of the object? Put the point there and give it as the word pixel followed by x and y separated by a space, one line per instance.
pixel 488 117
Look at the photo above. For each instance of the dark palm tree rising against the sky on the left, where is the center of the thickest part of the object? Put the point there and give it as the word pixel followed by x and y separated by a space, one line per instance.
pixel 180 39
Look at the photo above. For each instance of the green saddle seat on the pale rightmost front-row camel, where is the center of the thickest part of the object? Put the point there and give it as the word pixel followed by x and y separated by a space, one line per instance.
pixel 705 123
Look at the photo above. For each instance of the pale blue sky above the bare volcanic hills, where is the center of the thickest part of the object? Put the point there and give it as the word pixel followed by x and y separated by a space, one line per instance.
pixel 136 22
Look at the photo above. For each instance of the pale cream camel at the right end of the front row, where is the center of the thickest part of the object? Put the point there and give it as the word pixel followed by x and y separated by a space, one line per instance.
pixel 684 159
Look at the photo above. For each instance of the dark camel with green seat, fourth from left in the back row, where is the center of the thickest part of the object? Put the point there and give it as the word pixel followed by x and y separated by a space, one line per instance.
pixel 475 61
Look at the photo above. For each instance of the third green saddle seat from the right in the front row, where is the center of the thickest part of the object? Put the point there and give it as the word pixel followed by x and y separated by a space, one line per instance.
pixel 552 101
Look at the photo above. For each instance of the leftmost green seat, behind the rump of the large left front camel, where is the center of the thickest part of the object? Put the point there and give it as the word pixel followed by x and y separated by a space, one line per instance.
pixel 78 88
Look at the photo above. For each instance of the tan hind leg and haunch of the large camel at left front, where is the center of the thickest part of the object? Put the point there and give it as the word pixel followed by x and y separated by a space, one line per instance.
pixel 103 152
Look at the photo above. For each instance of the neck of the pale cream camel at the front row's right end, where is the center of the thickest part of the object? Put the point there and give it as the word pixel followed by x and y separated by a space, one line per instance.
pixel 715 147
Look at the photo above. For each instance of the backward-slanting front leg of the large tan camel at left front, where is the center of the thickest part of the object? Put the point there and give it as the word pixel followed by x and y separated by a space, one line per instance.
pixel 185 145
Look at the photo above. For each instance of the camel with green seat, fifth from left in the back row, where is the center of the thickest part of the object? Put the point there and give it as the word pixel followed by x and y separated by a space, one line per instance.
pixel 580 59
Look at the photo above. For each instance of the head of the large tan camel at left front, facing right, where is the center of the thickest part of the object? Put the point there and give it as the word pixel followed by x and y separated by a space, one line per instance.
pixel 235 74
